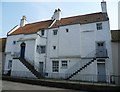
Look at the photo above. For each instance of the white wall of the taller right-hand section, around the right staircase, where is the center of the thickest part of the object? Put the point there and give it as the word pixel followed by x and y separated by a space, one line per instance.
pixel 78 42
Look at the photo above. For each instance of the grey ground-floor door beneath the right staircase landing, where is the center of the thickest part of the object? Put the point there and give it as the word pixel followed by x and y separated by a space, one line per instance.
pixel 101 72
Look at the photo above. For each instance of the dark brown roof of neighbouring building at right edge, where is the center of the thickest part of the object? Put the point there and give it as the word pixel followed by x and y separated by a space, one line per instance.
pixel 115 35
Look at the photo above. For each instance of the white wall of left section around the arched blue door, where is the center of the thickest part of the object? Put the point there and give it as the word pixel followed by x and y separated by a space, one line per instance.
pixel 11 48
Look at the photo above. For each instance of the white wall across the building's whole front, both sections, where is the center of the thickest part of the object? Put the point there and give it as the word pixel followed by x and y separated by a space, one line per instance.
pixel 79 41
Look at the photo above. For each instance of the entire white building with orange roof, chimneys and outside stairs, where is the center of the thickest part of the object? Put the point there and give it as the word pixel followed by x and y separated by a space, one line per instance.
pixel 71 48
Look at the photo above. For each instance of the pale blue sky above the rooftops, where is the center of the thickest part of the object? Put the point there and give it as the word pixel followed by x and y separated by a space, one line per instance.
pixel 11 11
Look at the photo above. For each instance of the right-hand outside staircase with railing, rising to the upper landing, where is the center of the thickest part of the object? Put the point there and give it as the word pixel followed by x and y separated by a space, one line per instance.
pixel 87 60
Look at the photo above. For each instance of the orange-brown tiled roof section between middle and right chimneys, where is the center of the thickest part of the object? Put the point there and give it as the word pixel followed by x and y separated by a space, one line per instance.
pixel 82 19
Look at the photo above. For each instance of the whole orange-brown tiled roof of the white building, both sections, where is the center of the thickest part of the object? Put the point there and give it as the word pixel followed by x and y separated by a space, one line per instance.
pixel 81 19
